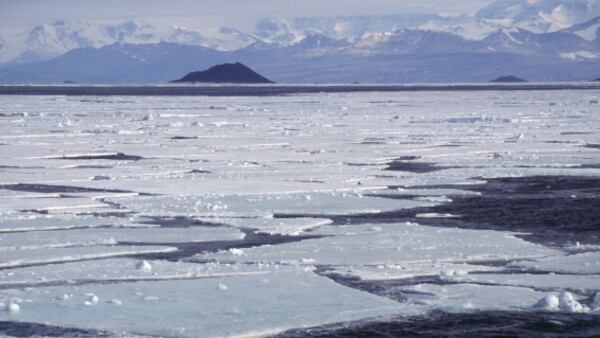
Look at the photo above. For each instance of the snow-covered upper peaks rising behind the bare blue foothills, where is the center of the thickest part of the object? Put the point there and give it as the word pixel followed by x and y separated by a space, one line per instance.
pixel 49 40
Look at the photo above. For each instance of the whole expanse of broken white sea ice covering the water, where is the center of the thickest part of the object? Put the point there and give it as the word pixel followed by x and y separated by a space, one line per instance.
pixel 157 216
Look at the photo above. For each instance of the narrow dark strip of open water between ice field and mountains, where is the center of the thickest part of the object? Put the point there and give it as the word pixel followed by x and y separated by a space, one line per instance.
pixel 271 90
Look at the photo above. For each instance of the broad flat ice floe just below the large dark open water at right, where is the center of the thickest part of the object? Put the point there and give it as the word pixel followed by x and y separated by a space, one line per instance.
pixel 392 244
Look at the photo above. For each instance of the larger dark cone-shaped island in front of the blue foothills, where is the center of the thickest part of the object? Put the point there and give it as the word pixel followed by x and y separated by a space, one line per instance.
pixel 225 73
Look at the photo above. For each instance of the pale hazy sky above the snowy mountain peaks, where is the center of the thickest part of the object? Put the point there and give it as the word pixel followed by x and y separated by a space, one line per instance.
pixel 201 14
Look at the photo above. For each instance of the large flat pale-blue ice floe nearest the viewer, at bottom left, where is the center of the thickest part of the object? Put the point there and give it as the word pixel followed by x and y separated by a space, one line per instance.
pixel 288 298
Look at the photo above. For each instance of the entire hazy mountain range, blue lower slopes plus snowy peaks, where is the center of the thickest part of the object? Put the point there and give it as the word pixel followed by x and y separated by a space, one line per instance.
pixel 544 40
